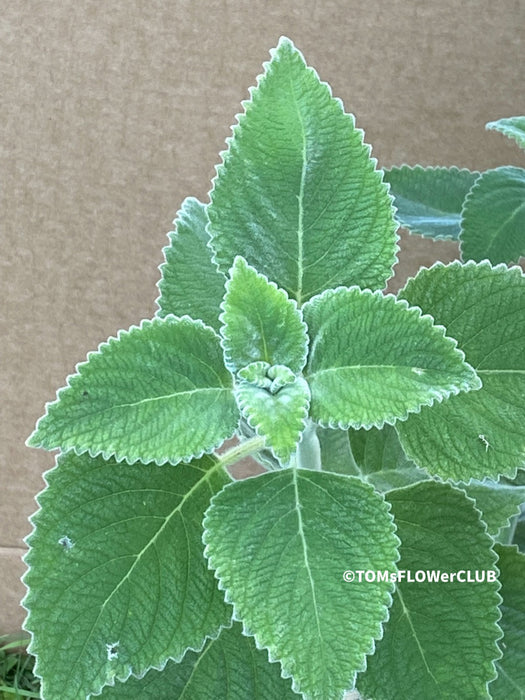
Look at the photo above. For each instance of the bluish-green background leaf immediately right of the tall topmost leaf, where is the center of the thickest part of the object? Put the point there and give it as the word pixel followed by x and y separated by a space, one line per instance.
pixel 429 200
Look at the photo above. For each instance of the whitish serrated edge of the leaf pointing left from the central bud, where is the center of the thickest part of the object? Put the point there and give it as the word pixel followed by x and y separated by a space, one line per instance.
pixel 107 343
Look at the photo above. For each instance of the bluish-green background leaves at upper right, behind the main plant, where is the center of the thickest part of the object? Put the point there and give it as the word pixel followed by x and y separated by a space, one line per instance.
pixel 484 212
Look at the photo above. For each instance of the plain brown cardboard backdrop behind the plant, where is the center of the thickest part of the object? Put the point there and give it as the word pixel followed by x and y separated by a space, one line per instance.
pixel 113 112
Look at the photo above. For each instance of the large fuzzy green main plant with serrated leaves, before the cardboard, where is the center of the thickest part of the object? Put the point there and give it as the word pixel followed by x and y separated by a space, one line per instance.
pixel 389 432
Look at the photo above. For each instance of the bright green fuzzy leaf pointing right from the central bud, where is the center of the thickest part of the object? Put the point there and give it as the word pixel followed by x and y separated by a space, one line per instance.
pixel 374 360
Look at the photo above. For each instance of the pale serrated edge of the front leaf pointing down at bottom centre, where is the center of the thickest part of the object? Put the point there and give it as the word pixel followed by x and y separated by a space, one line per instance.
pixel 237 618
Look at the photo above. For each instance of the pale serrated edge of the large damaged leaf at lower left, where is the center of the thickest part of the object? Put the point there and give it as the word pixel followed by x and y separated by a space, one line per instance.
pixel 28 594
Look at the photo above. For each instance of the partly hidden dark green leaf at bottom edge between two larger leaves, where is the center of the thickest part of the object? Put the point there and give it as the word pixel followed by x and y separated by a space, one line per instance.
pixel 228 668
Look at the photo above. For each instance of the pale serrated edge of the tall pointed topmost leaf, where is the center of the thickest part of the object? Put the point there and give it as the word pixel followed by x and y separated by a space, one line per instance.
pixel 238 125
